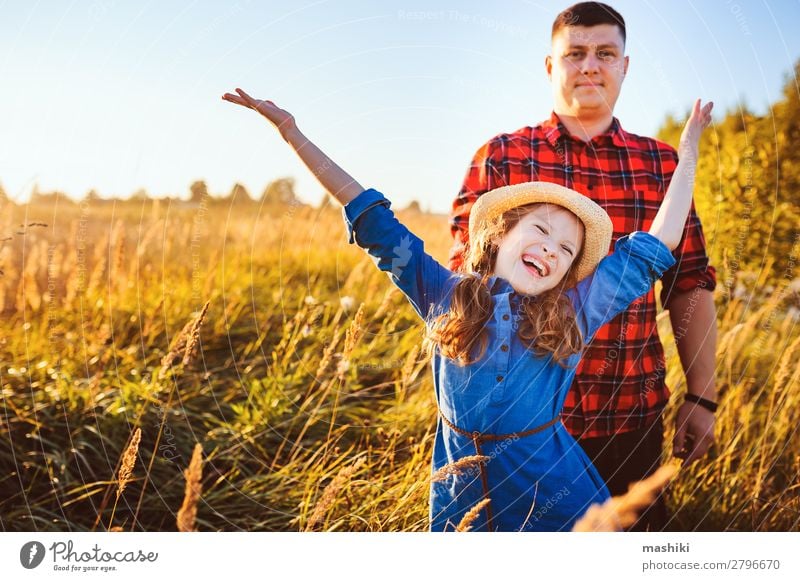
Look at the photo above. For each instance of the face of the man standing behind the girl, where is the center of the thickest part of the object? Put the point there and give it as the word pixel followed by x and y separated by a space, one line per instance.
pixel 586 69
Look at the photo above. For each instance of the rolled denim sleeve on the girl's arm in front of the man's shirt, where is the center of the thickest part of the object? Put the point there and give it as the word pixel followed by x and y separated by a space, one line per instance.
pixel 638 260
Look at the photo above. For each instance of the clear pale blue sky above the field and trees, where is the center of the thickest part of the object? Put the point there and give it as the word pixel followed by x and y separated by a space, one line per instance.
pixel 121 95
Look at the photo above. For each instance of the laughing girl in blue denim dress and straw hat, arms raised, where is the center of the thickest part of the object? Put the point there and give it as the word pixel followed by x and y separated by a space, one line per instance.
pixel 505 338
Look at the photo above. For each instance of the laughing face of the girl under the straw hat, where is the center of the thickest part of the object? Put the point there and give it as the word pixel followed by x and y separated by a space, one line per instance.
pixel 538 251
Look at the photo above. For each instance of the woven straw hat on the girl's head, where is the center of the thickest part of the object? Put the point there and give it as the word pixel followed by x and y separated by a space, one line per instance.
pixel 597 224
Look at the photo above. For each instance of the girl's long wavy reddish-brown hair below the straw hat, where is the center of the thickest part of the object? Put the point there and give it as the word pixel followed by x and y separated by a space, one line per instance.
pixel 547 326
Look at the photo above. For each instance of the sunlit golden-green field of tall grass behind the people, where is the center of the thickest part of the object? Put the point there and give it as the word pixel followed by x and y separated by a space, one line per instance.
pixel 261 335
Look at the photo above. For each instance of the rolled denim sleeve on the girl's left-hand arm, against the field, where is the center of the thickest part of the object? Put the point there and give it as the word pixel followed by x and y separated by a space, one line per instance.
pixel 397 251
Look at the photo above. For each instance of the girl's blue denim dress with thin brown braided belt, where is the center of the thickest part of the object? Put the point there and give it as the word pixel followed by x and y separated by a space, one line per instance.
pixel 542 481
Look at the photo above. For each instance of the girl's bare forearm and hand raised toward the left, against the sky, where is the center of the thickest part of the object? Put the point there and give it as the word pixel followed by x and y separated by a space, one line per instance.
pixel 333 178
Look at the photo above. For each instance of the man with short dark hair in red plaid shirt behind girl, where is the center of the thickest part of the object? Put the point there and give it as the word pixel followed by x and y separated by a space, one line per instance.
pixel 615 404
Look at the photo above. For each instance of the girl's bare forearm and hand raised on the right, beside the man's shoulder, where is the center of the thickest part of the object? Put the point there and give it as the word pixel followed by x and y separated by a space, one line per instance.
pixel 670 220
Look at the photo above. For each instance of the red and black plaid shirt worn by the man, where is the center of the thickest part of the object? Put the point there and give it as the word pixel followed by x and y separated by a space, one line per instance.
pixel 619 385
